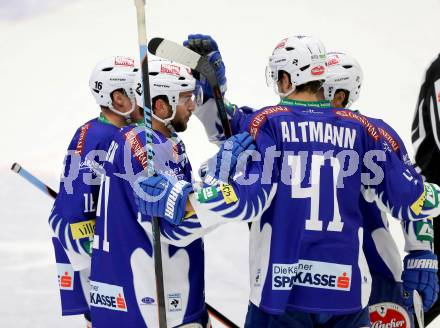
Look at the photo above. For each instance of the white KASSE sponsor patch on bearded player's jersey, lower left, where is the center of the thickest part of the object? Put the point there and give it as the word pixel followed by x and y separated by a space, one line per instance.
pixel 107 296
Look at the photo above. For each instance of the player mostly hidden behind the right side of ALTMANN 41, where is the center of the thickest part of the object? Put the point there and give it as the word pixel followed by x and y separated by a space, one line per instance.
pixel 387 304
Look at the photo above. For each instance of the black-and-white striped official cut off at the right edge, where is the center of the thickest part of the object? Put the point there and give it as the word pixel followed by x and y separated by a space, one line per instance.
pixel 426 143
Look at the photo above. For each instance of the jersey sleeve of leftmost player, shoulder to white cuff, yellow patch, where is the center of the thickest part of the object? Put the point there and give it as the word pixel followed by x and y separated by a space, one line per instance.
pixel 73 214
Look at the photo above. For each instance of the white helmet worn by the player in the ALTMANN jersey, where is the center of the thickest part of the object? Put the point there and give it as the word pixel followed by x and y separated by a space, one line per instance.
pixel 302 57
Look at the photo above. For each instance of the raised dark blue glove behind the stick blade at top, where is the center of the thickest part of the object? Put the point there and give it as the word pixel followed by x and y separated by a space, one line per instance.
pixel 206 46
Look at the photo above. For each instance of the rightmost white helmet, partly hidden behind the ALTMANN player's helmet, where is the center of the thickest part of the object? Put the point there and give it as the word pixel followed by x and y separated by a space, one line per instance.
pixel 343 72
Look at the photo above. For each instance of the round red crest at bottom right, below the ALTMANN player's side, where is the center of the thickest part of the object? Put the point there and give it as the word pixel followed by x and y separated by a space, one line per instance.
pixel 389 315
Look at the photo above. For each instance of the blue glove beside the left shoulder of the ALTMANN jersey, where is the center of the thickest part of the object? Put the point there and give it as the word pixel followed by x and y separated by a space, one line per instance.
pixel 229 160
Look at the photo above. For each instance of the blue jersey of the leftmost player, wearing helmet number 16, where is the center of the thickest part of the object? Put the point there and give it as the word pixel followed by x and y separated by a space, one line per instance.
pixel 72 219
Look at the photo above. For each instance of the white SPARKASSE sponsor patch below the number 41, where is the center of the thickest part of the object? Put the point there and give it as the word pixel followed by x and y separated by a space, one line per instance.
pixel 313 274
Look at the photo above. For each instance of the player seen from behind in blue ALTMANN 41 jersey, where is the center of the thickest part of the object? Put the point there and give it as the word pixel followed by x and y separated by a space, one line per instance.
pixel 313 163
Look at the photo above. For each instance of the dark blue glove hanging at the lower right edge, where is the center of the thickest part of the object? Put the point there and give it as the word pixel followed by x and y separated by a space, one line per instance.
pixel 420 273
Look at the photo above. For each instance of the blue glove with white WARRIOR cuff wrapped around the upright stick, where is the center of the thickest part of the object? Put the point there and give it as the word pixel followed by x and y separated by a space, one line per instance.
pixel 162 196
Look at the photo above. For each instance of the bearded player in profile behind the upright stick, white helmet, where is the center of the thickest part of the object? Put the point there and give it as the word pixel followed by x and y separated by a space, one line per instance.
pixel 123 288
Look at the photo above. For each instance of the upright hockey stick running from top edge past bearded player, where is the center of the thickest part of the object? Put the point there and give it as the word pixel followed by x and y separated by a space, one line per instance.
pixel 142 38
